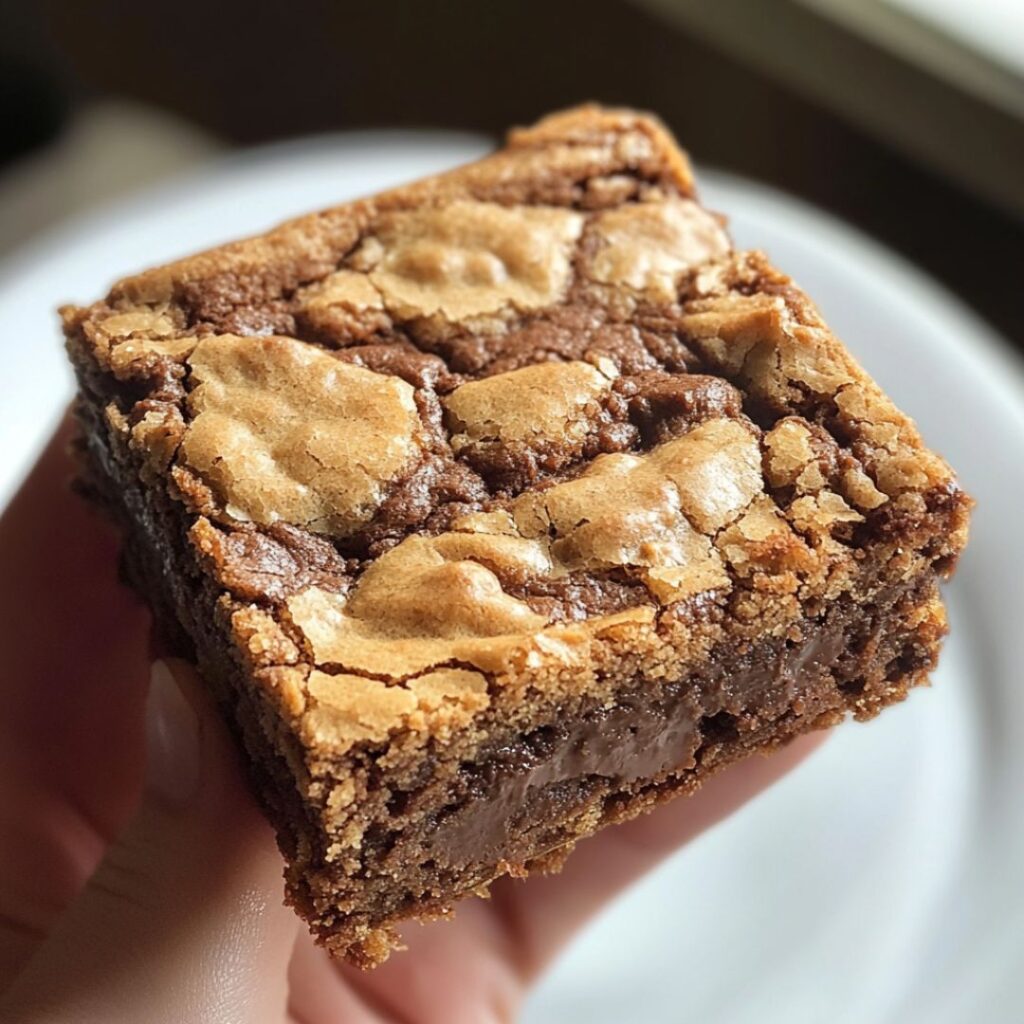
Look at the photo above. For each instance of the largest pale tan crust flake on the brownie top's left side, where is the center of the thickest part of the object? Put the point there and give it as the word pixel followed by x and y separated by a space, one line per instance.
pixel 283 433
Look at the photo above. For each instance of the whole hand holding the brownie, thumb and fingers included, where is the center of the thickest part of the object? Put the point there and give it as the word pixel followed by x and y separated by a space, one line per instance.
pixel 162 903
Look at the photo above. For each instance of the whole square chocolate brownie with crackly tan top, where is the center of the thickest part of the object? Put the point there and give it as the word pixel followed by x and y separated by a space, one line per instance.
pixel 503 506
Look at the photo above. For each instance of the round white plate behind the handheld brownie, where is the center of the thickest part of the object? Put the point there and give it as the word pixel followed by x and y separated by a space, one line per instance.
pixel 882 881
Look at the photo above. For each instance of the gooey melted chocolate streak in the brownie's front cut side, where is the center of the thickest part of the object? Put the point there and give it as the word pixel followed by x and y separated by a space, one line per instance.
pixel 649 734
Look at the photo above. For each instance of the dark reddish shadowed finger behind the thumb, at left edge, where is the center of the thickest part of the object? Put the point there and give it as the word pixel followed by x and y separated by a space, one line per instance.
pixel 72 691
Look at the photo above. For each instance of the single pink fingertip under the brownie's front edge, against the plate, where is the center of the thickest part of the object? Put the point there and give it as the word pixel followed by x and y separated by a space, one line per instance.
pixel 544 914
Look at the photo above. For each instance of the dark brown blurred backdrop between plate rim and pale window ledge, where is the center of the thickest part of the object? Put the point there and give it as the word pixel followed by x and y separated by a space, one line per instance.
pixel 253 72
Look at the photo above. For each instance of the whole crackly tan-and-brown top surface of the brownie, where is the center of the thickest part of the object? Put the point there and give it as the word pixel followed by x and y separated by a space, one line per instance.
pixel 526 425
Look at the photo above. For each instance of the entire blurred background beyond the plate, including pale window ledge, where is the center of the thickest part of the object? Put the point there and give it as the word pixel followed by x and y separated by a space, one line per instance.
pixel 906 117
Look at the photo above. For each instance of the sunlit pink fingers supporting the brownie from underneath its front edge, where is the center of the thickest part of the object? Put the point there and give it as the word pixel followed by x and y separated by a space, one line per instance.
pixel 479 968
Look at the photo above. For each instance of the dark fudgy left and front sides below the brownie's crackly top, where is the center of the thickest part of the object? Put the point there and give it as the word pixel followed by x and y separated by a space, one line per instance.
pixel 522 805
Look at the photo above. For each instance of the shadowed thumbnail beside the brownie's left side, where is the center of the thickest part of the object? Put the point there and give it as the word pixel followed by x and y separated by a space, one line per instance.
pixel 172 740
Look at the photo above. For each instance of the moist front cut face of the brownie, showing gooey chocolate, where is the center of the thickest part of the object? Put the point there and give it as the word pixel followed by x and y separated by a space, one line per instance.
pixel 537 794
